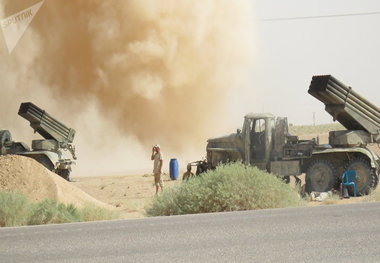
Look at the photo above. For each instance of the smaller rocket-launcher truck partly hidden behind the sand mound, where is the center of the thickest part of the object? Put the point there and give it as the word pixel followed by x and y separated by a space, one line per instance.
pixel 56 151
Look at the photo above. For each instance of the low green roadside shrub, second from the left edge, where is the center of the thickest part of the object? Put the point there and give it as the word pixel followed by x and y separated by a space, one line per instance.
pixel 52 212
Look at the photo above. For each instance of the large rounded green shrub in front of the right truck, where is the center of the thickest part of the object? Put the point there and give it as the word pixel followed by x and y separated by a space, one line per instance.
pixel 229 187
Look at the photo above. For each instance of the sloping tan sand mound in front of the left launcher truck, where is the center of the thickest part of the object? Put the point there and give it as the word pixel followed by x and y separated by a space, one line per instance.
pixel 26 176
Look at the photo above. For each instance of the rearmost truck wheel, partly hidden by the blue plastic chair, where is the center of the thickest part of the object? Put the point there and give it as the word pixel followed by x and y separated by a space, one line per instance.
pixel 367 178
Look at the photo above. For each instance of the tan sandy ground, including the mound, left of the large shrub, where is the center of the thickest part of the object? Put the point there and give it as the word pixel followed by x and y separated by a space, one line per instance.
pixel 128 194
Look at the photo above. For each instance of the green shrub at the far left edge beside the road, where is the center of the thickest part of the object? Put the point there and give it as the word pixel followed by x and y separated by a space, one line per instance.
pixel 14 209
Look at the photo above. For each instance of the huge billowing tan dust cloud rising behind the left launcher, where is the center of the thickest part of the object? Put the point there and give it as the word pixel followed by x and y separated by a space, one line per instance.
pixel 129 74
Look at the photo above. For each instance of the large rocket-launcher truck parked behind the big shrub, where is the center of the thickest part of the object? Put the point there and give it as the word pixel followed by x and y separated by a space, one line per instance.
pixel 265 142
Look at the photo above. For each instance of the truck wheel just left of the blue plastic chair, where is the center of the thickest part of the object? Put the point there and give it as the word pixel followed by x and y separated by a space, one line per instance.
pixel 320 176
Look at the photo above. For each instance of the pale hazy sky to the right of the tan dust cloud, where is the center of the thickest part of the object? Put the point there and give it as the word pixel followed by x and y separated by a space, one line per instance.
pixel 289 53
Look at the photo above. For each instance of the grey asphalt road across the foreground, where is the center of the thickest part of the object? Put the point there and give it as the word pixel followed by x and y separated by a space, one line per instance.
pixel 345 233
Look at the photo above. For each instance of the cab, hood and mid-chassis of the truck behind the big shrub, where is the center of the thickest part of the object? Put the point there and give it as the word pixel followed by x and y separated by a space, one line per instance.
pixel 264 142
